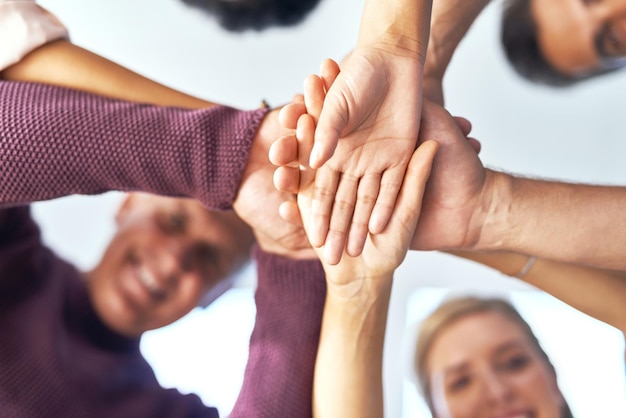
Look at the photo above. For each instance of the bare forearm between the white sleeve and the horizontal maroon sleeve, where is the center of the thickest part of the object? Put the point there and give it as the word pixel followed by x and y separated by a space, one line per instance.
pixel 65 64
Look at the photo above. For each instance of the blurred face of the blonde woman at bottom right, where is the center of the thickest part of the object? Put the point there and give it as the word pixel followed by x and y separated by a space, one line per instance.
pixel 483 366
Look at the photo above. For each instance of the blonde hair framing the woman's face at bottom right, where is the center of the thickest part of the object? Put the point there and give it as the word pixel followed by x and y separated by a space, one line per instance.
pixel 455 309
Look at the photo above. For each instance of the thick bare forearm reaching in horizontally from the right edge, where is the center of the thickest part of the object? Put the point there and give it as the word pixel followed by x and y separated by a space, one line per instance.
pixel 573 223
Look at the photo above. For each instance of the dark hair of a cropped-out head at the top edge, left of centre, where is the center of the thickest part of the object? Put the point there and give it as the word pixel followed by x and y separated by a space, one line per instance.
pixel 242 15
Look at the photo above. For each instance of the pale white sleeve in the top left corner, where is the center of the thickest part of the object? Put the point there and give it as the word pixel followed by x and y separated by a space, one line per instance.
pixel 25 26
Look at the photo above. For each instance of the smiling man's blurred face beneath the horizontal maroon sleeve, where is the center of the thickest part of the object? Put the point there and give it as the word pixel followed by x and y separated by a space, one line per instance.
pixel 165 256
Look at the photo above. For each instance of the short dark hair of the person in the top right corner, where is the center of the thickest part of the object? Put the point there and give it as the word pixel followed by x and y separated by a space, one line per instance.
pixel 519 38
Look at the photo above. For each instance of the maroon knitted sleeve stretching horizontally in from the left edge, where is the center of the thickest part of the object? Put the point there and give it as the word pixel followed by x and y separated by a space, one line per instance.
pixel 56 141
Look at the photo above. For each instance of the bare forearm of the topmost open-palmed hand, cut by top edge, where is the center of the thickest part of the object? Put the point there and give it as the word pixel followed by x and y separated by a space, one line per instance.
pixel 403 25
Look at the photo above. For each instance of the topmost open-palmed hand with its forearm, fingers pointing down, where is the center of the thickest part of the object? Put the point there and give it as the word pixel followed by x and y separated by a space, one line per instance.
pixel 371 106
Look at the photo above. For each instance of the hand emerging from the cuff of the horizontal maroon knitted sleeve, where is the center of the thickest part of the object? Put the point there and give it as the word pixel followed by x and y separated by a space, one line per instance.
pixel 258 201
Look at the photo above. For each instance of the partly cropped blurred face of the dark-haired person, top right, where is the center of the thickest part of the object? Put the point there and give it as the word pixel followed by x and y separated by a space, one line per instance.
pixel 575 35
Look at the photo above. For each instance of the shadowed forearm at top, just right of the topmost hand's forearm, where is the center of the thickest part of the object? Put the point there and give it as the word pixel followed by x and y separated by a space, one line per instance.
pixel 451 19
